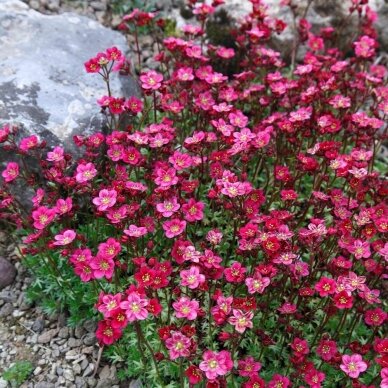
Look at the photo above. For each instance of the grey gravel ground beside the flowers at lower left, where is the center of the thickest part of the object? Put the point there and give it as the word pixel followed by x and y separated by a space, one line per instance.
pixel 61 356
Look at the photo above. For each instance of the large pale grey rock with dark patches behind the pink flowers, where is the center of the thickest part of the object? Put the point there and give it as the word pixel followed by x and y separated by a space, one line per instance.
pixel 43 84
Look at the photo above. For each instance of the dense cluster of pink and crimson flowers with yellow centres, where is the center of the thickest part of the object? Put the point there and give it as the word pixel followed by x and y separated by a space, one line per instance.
pixel 245 211
